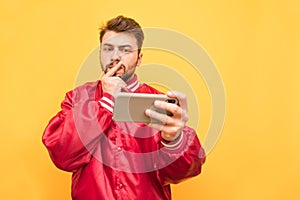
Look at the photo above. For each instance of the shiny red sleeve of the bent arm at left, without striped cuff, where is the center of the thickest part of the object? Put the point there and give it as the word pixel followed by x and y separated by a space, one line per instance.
pixel 73 134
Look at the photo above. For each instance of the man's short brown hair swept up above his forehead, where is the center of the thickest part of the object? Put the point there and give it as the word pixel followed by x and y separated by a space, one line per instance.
pixel 122 24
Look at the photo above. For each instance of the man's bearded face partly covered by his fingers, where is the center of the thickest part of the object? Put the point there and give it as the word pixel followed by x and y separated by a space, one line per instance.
pixel 120 47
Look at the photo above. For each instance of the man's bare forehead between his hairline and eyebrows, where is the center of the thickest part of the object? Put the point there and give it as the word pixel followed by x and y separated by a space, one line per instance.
pixel 121 38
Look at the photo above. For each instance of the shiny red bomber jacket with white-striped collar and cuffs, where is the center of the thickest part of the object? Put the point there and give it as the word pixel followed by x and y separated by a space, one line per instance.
pixel 111 160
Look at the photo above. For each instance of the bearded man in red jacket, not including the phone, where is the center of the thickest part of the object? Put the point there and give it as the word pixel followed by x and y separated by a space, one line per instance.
pixel 114 160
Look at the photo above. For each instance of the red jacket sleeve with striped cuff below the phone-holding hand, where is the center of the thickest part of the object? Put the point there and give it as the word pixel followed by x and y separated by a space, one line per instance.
pixel 183 158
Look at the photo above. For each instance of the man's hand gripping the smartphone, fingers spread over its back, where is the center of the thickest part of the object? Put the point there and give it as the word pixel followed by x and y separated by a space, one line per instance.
pixel 170 126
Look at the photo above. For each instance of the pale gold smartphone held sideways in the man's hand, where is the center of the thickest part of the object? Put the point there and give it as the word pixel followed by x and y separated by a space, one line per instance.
pixel 131 107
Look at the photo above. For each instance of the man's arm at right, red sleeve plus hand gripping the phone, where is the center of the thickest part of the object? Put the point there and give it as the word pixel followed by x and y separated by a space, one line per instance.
pixel 180 144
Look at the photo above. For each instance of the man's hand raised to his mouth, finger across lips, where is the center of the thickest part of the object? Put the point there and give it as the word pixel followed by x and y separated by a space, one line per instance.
pixel 113 84
